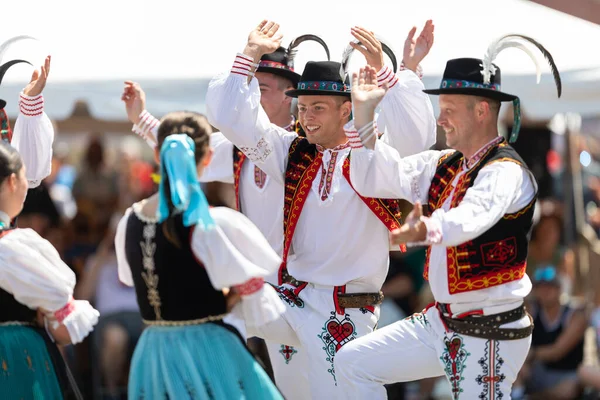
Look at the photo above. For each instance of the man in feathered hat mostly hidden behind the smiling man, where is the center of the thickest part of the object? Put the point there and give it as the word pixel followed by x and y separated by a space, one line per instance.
pixel 257 197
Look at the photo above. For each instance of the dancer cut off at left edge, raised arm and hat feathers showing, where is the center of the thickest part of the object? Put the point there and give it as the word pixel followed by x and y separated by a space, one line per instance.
pixel 33 133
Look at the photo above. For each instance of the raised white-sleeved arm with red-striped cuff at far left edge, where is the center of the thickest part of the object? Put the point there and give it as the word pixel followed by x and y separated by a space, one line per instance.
pixel 34 134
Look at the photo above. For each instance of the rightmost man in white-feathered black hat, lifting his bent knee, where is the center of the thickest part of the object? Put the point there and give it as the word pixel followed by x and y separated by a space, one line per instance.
pixel 480 198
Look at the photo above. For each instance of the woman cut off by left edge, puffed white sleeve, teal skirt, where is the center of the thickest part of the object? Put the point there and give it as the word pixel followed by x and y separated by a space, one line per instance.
pixel 36 290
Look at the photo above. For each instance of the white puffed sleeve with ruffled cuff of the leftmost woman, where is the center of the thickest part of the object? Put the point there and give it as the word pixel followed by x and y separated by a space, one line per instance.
pixel 32 271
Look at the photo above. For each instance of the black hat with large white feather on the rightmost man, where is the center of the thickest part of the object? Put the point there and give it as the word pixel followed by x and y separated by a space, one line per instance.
pixel 476 77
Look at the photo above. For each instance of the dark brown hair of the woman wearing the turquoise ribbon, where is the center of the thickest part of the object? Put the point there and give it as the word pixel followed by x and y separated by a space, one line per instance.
pixel 196 126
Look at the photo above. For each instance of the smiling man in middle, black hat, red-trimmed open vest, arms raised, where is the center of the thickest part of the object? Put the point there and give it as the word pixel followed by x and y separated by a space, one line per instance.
pixel 345 274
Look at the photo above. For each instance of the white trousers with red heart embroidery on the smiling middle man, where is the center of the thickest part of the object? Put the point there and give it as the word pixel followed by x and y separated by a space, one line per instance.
pixel 312 323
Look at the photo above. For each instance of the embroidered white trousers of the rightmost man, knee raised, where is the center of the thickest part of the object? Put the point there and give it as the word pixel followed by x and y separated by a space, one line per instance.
pixel 420 347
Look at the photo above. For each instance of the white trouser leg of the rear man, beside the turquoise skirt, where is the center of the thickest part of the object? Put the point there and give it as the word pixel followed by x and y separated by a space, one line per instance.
pixel 290 368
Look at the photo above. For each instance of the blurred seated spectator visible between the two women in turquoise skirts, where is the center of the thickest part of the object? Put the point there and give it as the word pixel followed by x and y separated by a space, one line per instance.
pixel 120 324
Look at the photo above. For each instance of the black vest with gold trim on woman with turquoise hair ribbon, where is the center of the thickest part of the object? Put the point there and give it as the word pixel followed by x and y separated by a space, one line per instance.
pixel 170 283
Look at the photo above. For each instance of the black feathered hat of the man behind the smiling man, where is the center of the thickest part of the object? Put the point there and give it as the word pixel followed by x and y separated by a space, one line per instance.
pixel 281 61
